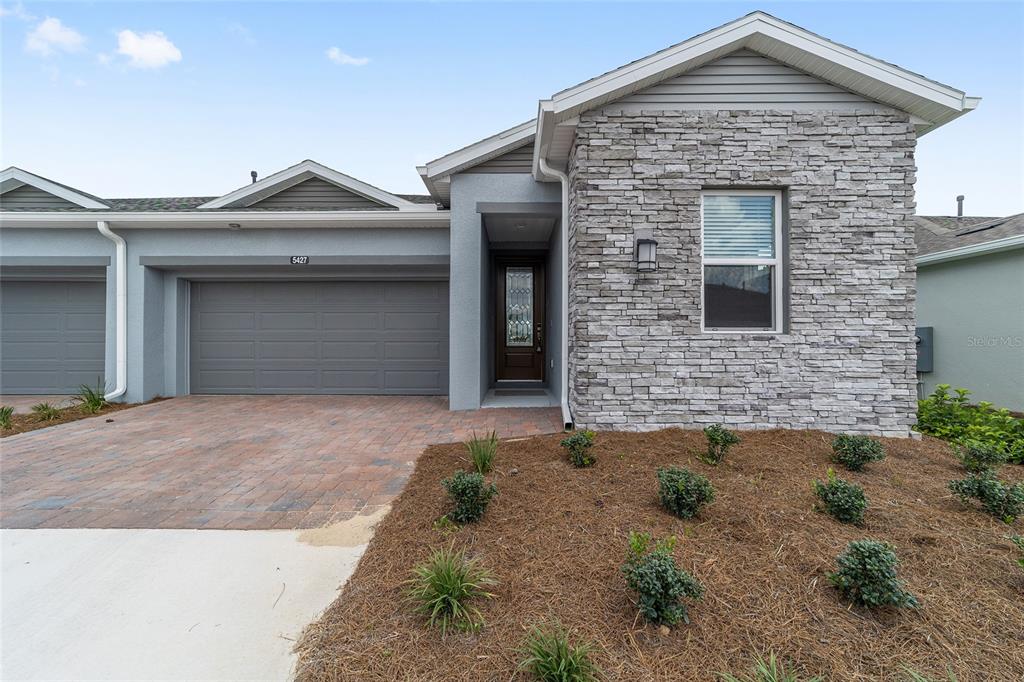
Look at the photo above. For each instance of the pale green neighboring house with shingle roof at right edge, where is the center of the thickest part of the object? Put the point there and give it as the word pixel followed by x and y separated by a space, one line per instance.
pixel 971 294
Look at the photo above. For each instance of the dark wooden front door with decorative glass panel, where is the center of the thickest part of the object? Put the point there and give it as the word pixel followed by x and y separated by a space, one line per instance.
pixel 521 320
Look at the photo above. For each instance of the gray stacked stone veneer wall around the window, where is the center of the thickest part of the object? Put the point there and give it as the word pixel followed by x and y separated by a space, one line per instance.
pixel 637 357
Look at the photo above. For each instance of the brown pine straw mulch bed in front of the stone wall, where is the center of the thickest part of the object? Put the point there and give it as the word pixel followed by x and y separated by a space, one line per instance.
pixel 556 538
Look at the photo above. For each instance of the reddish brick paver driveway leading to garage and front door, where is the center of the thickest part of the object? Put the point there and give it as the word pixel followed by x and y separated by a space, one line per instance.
pixel 234 462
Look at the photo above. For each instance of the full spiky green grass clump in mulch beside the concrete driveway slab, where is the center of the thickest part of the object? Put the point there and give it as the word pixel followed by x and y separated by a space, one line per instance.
pixel 443 587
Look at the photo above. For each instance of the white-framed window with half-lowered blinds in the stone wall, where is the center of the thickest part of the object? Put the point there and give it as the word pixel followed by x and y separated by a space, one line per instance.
pixel 742 244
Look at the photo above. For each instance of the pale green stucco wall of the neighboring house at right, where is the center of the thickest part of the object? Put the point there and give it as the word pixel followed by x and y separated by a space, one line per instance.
pixel 977 310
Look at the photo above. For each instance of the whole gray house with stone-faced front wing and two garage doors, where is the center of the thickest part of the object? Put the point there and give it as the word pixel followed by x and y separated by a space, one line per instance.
pixel 721 232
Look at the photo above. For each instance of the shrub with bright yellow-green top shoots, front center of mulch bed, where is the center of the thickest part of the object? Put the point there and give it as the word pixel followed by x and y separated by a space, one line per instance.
pixel 660 584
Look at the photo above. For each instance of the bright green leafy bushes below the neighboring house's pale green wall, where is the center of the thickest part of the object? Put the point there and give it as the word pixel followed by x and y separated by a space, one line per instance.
pixel 953 418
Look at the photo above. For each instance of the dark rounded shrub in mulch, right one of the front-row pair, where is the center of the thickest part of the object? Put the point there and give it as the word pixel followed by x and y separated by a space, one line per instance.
pixel 867 576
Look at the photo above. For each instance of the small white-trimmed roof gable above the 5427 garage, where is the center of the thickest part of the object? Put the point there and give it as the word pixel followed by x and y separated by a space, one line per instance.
pixel 264 191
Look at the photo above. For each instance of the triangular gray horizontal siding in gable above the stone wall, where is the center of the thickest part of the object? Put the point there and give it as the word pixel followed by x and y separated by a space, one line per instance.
pixel 745 80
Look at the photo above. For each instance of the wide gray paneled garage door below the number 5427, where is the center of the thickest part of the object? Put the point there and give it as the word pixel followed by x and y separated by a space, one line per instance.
pixel 320 337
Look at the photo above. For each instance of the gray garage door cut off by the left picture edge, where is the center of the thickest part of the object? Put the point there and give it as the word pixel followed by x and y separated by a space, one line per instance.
pixel 52 336
